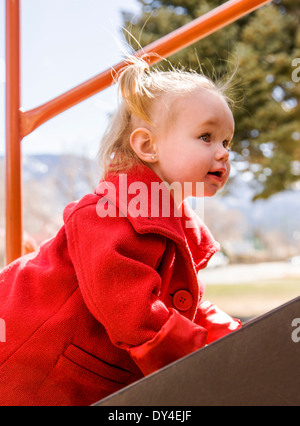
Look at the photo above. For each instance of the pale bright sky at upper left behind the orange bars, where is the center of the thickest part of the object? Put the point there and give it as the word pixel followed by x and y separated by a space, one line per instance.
pixel 64 43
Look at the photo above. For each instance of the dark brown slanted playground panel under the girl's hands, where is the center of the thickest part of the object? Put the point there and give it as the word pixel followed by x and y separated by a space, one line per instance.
pixel 255 366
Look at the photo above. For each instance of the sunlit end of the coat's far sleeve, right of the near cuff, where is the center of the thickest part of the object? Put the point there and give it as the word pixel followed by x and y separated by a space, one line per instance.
pixel 215 321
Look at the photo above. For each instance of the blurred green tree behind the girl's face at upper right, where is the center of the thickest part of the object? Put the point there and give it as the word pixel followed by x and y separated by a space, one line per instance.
pixel 262 46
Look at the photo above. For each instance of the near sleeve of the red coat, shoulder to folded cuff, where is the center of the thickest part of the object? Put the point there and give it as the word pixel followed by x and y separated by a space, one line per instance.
pixel 117 273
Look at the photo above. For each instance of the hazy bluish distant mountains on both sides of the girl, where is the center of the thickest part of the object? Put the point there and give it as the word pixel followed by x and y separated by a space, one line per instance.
pixel 76 176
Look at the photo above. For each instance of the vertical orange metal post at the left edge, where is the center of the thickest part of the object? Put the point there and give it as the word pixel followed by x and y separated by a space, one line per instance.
pixel 14 225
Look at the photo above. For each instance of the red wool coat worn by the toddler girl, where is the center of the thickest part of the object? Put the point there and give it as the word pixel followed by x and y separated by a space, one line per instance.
pixel 105 302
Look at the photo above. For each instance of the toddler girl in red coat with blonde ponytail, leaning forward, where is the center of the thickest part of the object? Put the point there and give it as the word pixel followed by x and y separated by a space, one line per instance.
pixel 115 296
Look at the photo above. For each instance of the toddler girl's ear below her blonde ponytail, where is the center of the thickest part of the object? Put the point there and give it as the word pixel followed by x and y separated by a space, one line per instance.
pixel 141 141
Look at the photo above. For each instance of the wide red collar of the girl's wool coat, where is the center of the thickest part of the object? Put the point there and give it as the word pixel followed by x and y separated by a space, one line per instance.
pixel 134 195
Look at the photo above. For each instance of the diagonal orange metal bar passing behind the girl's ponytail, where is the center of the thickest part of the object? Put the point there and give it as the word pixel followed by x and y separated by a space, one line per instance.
pixel 168 45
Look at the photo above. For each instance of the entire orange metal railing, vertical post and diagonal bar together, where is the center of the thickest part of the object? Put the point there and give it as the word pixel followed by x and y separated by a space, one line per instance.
pixel 20 123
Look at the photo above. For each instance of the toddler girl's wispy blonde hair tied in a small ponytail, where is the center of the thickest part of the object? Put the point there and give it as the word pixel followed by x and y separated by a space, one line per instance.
pixel 140 87
